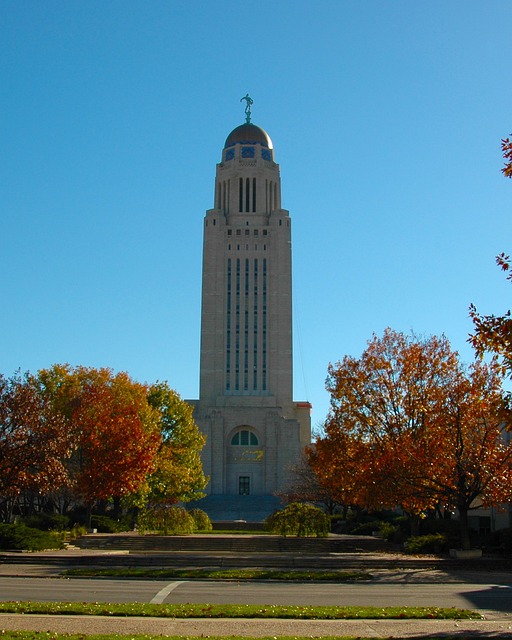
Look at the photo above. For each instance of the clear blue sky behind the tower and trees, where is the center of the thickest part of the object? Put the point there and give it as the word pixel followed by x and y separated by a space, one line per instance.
pixel 386 118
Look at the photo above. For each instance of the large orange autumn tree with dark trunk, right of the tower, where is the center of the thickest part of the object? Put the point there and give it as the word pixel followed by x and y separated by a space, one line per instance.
pixel 409 426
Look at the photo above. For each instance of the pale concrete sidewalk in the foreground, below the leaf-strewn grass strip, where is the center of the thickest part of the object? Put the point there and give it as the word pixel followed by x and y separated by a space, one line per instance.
pixel 499 627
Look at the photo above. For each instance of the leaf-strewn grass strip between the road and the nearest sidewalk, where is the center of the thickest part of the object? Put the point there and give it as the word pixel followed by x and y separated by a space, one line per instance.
pixel 236 611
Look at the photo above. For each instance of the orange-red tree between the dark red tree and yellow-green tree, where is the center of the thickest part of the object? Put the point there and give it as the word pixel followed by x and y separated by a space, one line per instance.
pixel 115 431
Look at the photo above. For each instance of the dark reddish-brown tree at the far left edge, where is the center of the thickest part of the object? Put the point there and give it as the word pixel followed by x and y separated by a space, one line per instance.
pixel 34 442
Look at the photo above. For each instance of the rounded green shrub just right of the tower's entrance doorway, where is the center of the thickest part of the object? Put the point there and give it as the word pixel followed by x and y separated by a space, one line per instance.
pixel 299 519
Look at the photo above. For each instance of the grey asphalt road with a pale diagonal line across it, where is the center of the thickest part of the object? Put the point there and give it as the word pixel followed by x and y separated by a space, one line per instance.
pixel 496 597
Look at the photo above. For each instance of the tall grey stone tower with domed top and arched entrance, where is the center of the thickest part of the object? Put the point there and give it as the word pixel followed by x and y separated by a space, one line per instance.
pixel 254 429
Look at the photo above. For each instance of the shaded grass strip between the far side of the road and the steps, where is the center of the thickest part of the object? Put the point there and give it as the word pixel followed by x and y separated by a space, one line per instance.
pixel 219 574
